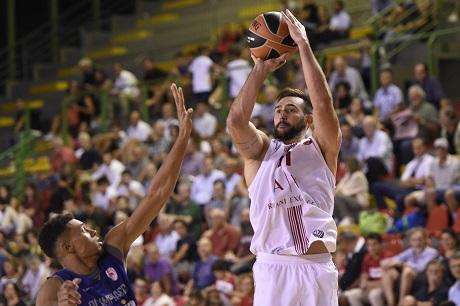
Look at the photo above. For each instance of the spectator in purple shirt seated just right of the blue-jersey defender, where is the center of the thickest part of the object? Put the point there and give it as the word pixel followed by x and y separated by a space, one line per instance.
pixel 157 269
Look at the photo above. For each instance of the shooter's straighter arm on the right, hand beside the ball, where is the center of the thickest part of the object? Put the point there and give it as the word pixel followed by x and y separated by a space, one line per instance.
pixel 325 121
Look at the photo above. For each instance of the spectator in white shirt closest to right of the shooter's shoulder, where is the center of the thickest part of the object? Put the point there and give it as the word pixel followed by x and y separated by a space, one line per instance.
pixel 375 143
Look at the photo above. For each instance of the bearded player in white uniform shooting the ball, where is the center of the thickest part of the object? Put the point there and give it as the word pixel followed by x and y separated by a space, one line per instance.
pixel 291 183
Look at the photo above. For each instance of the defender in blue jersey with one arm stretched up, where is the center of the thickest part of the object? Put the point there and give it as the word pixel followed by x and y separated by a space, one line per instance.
pixel 94 271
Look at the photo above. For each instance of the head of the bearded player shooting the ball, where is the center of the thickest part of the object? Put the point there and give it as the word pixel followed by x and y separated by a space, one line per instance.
pixel 293 114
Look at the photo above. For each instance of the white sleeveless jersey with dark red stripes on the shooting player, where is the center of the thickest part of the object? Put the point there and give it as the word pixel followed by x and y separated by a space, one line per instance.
pixel 292 200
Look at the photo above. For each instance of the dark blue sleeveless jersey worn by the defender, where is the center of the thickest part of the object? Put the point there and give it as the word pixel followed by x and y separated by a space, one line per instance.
pixel 108 285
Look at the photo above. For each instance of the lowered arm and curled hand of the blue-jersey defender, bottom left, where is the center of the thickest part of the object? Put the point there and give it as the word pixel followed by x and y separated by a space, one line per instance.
pixel 53 292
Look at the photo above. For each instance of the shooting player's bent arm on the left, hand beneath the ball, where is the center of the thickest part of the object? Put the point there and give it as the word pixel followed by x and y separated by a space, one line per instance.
pixel 250 142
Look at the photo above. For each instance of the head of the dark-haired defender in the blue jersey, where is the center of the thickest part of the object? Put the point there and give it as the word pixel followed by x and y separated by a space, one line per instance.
pixel 63 237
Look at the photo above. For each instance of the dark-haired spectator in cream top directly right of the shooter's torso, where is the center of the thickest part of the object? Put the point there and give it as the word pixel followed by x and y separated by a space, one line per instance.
pixel 351 193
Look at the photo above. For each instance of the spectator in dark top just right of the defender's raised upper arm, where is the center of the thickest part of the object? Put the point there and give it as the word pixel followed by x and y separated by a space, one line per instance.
pixel 185 209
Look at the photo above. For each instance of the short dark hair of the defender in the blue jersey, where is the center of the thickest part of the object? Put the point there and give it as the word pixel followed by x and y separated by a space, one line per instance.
pixel 51 232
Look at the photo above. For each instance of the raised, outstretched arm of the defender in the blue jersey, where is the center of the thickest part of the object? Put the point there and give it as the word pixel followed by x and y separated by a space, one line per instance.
pixel 123 235
